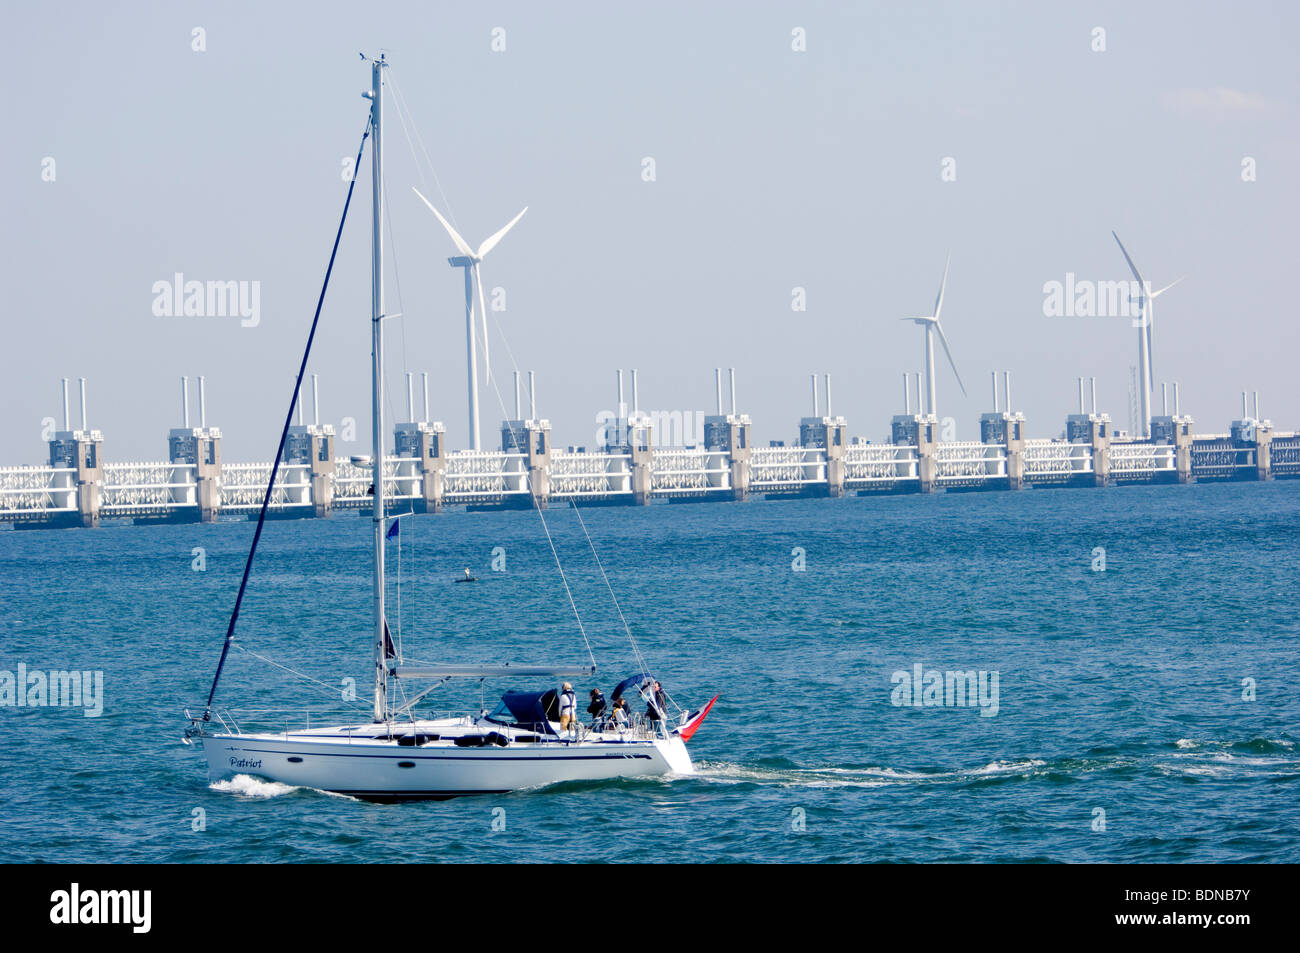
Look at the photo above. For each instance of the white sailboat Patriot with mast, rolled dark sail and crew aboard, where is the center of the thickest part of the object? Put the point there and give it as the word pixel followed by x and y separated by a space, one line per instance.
pixel 526 742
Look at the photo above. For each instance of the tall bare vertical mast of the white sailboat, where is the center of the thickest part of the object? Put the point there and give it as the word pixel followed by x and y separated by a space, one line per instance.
pixel 376 97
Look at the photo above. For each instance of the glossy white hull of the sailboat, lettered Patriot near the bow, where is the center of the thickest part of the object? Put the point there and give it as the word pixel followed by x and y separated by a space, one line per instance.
pixel 383 770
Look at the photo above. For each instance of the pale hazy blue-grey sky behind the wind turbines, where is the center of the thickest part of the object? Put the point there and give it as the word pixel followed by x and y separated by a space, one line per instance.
pixel 774 170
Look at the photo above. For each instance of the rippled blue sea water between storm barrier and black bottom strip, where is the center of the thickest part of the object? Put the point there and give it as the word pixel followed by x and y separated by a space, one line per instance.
pixel 1119 691
